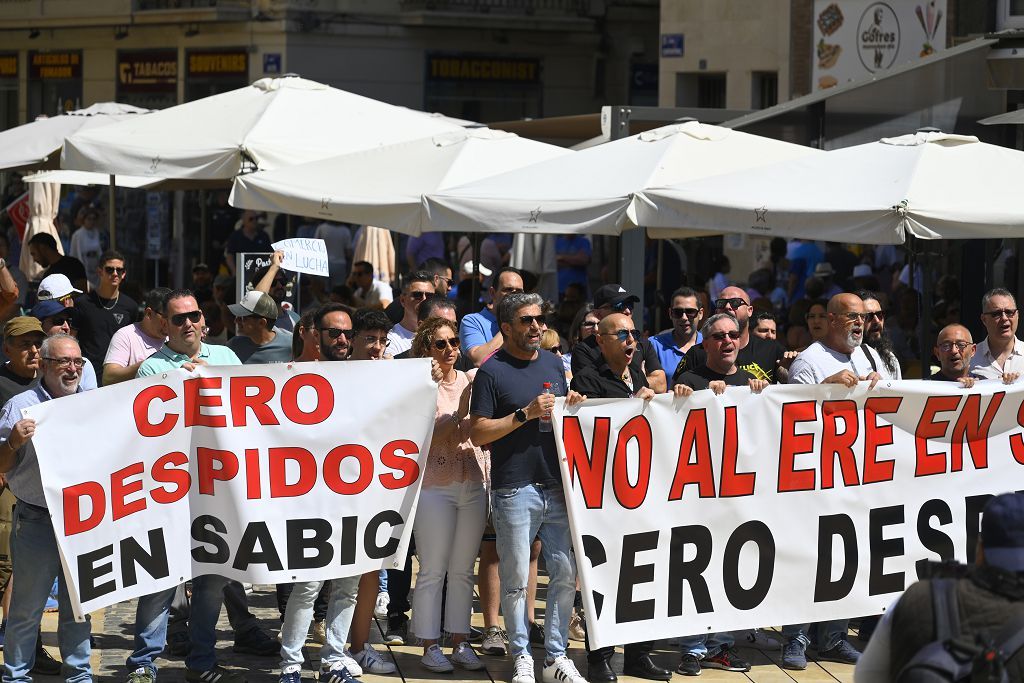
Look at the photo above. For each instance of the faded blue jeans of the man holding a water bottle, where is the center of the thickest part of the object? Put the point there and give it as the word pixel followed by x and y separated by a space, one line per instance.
pixel 520 516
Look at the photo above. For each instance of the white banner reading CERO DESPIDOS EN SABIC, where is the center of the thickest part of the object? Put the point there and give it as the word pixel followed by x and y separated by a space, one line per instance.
pixel 265 474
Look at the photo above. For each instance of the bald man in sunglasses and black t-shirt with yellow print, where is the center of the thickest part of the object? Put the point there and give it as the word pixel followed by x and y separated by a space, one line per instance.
pixel 763 359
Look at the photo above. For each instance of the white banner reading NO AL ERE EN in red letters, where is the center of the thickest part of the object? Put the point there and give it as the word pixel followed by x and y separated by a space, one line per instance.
pixel 802 504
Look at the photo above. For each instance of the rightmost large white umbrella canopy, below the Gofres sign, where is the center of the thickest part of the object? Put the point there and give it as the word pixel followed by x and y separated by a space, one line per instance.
pixel 931 186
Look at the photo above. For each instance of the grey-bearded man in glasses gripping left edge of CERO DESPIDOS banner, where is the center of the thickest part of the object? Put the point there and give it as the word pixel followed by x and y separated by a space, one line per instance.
pixel 37 561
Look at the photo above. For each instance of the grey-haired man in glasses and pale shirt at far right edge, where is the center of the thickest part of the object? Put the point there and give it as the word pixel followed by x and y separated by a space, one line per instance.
pixel 1001 354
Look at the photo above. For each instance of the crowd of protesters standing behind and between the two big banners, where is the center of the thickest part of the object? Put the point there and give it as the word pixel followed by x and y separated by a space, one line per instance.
pixel 492 487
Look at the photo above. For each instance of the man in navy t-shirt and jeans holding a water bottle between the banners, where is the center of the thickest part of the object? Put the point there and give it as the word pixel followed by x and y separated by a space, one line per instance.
pixel 509 404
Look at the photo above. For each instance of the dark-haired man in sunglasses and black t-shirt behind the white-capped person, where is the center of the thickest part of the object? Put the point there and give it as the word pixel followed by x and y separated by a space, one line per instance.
pixel 105 311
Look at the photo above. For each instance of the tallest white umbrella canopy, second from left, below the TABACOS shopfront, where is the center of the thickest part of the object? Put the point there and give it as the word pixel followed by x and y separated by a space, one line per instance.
pixel 275 122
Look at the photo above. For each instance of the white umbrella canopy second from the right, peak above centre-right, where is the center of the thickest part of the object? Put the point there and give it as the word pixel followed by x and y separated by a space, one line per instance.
pixel 591 191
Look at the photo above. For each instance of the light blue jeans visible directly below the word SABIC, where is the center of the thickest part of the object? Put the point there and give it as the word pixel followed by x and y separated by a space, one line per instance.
pixel 300 613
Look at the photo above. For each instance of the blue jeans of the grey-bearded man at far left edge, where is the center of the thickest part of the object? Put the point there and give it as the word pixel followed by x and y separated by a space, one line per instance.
pixel 36 565
